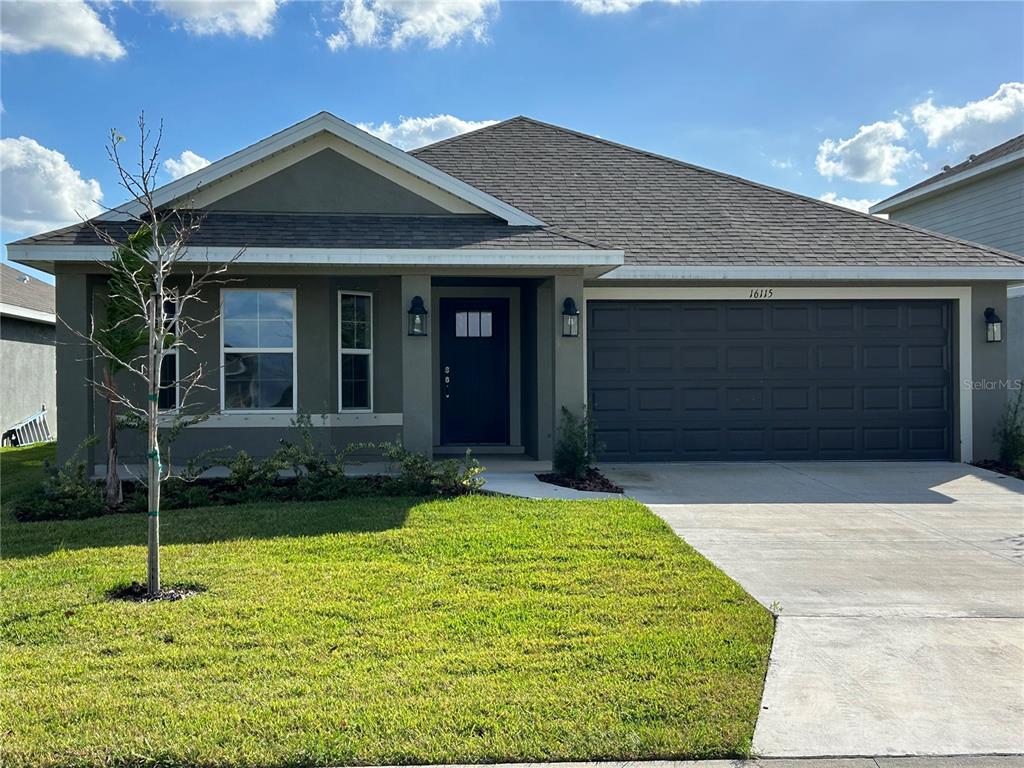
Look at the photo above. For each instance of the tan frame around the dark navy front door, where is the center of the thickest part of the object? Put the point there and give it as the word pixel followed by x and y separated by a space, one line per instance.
pixel 516 351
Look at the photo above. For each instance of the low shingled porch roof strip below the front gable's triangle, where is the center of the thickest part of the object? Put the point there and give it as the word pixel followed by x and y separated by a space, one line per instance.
pixel 316 231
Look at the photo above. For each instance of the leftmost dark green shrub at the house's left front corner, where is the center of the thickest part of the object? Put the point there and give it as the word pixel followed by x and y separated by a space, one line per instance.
pixel 66 494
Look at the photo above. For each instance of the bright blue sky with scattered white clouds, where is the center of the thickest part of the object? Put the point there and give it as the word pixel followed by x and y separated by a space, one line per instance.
pixel 849 100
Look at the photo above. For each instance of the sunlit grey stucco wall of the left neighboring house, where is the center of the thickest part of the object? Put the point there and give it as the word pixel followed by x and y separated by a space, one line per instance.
pixel 28 371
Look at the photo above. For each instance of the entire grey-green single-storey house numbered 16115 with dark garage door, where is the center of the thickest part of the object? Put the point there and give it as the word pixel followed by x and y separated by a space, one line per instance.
pixel 722 320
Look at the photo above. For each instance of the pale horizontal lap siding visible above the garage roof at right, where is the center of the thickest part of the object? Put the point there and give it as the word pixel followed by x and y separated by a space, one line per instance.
pixel 990 211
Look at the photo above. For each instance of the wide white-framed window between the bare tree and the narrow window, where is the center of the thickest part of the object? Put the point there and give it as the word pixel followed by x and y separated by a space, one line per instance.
pixel 259 332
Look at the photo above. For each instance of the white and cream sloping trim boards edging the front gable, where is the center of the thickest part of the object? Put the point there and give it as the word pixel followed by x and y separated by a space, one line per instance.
pixel 325 122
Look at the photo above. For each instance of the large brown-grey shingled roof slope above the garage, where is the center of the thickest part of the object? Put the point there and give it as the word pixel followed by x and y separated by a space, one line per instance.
pixel 663 211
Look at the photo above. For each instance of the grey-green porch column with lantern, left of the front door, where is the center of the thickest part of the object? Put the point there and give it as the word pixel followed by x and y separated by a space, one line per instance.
pixel 417 373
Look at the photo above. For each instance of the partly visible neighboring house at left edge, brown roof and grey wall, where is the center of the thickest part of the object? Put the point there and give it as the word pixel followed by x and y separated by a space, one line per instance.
pixel 28 353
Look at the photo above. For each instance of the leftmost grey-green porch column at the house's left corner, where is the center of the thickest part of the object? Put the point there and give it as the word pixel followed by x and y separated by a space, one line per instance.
pixel 75 400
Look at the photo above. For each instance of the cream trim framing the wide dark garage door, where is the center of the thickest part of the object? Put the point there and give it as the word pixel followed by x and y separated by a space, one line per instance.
pixel 962 339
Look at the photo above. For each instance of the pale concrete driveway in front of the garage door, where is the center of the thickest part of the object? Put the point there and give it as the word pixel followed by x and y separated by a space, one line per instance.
pixel 901 594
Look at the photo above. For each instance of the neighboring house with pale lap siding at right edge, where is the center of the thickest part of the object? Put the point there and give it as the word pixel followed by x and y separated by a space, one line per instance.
pixel 982 200
